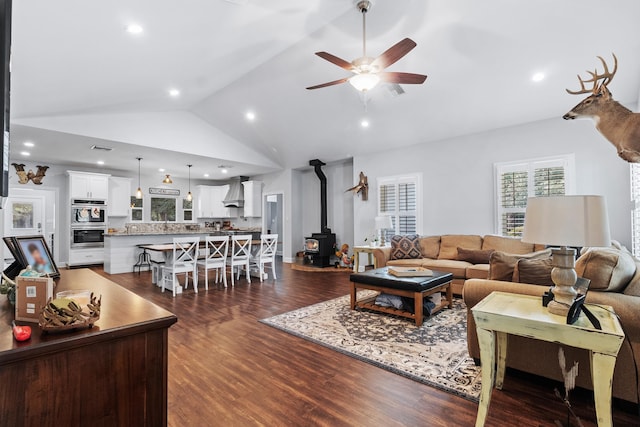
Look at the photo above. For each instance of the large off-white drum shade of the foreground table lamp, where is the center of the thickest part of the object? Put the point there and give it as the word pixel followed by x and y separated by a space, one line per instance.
pixel 567 221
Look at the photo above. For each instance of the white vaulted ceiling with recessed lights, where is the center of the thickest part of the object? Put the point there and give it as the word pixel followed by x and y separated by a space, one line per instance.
pixel 76 74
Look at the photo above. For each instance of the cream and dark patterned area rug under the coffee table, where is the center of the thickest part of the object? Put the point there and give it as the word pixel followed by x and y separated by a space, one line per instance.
pixel 434 354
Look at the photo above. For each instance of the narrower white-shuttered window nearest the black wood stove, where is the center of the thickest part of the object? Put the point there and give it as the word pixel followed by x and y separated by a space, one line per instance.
pixel 398 198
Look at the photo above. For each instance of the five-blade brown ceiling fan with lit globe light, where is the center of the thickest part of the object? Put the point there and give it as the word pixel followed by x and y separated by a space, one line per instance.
pixel 368 72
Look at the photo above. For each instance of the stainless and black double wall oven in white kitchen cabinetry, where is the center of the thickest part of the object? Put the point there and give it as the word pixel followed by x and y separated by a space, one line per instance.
pixel 88 223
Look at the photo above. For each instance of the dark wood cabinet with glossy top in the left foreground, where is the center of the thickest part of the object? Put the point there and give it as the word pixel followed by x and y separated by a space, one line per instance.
pixel 114 374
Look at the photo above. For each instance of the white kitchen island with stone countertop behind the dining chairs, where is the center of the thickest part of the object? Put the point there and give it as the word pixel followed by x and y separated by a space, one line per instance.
pixel 121 249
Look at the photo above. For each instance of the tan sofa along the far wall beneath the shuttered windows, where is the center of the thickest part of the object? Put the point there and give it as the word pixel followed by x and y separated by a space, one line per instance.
pixel 441 253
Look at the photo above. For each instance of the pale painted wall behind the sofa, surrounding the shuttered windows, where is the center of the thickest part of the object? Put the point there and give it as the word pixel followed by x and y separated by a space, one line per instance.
pixel 458 187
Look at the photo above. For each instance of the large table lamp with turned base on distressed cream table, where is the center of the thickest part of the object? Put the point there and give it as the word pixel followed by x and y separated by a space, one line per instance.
pixel 566 221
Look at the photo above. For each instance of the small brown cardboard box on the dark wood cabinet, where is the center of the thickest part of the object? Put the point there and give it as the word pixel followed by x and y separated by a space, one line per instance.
pixel 32 293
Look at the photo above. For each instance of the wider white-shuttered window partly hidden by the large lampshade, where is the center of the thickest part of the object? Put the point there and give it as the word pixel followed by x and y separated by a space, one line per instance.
pixel 518 181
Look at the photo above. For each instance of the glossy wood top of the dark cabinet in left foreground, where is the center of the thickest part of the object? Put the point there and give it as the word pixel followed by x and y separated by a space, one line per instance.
pixel 123 313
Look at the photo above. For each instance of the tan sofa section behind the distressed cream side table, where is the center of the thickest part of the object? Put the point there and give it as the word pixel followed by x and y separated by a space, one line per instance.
pixel 541 358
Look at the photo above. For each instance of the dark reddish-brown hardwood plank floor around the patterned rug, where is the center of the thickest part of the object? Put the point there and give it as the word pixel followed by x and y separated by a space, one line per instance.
pixel 226 368
